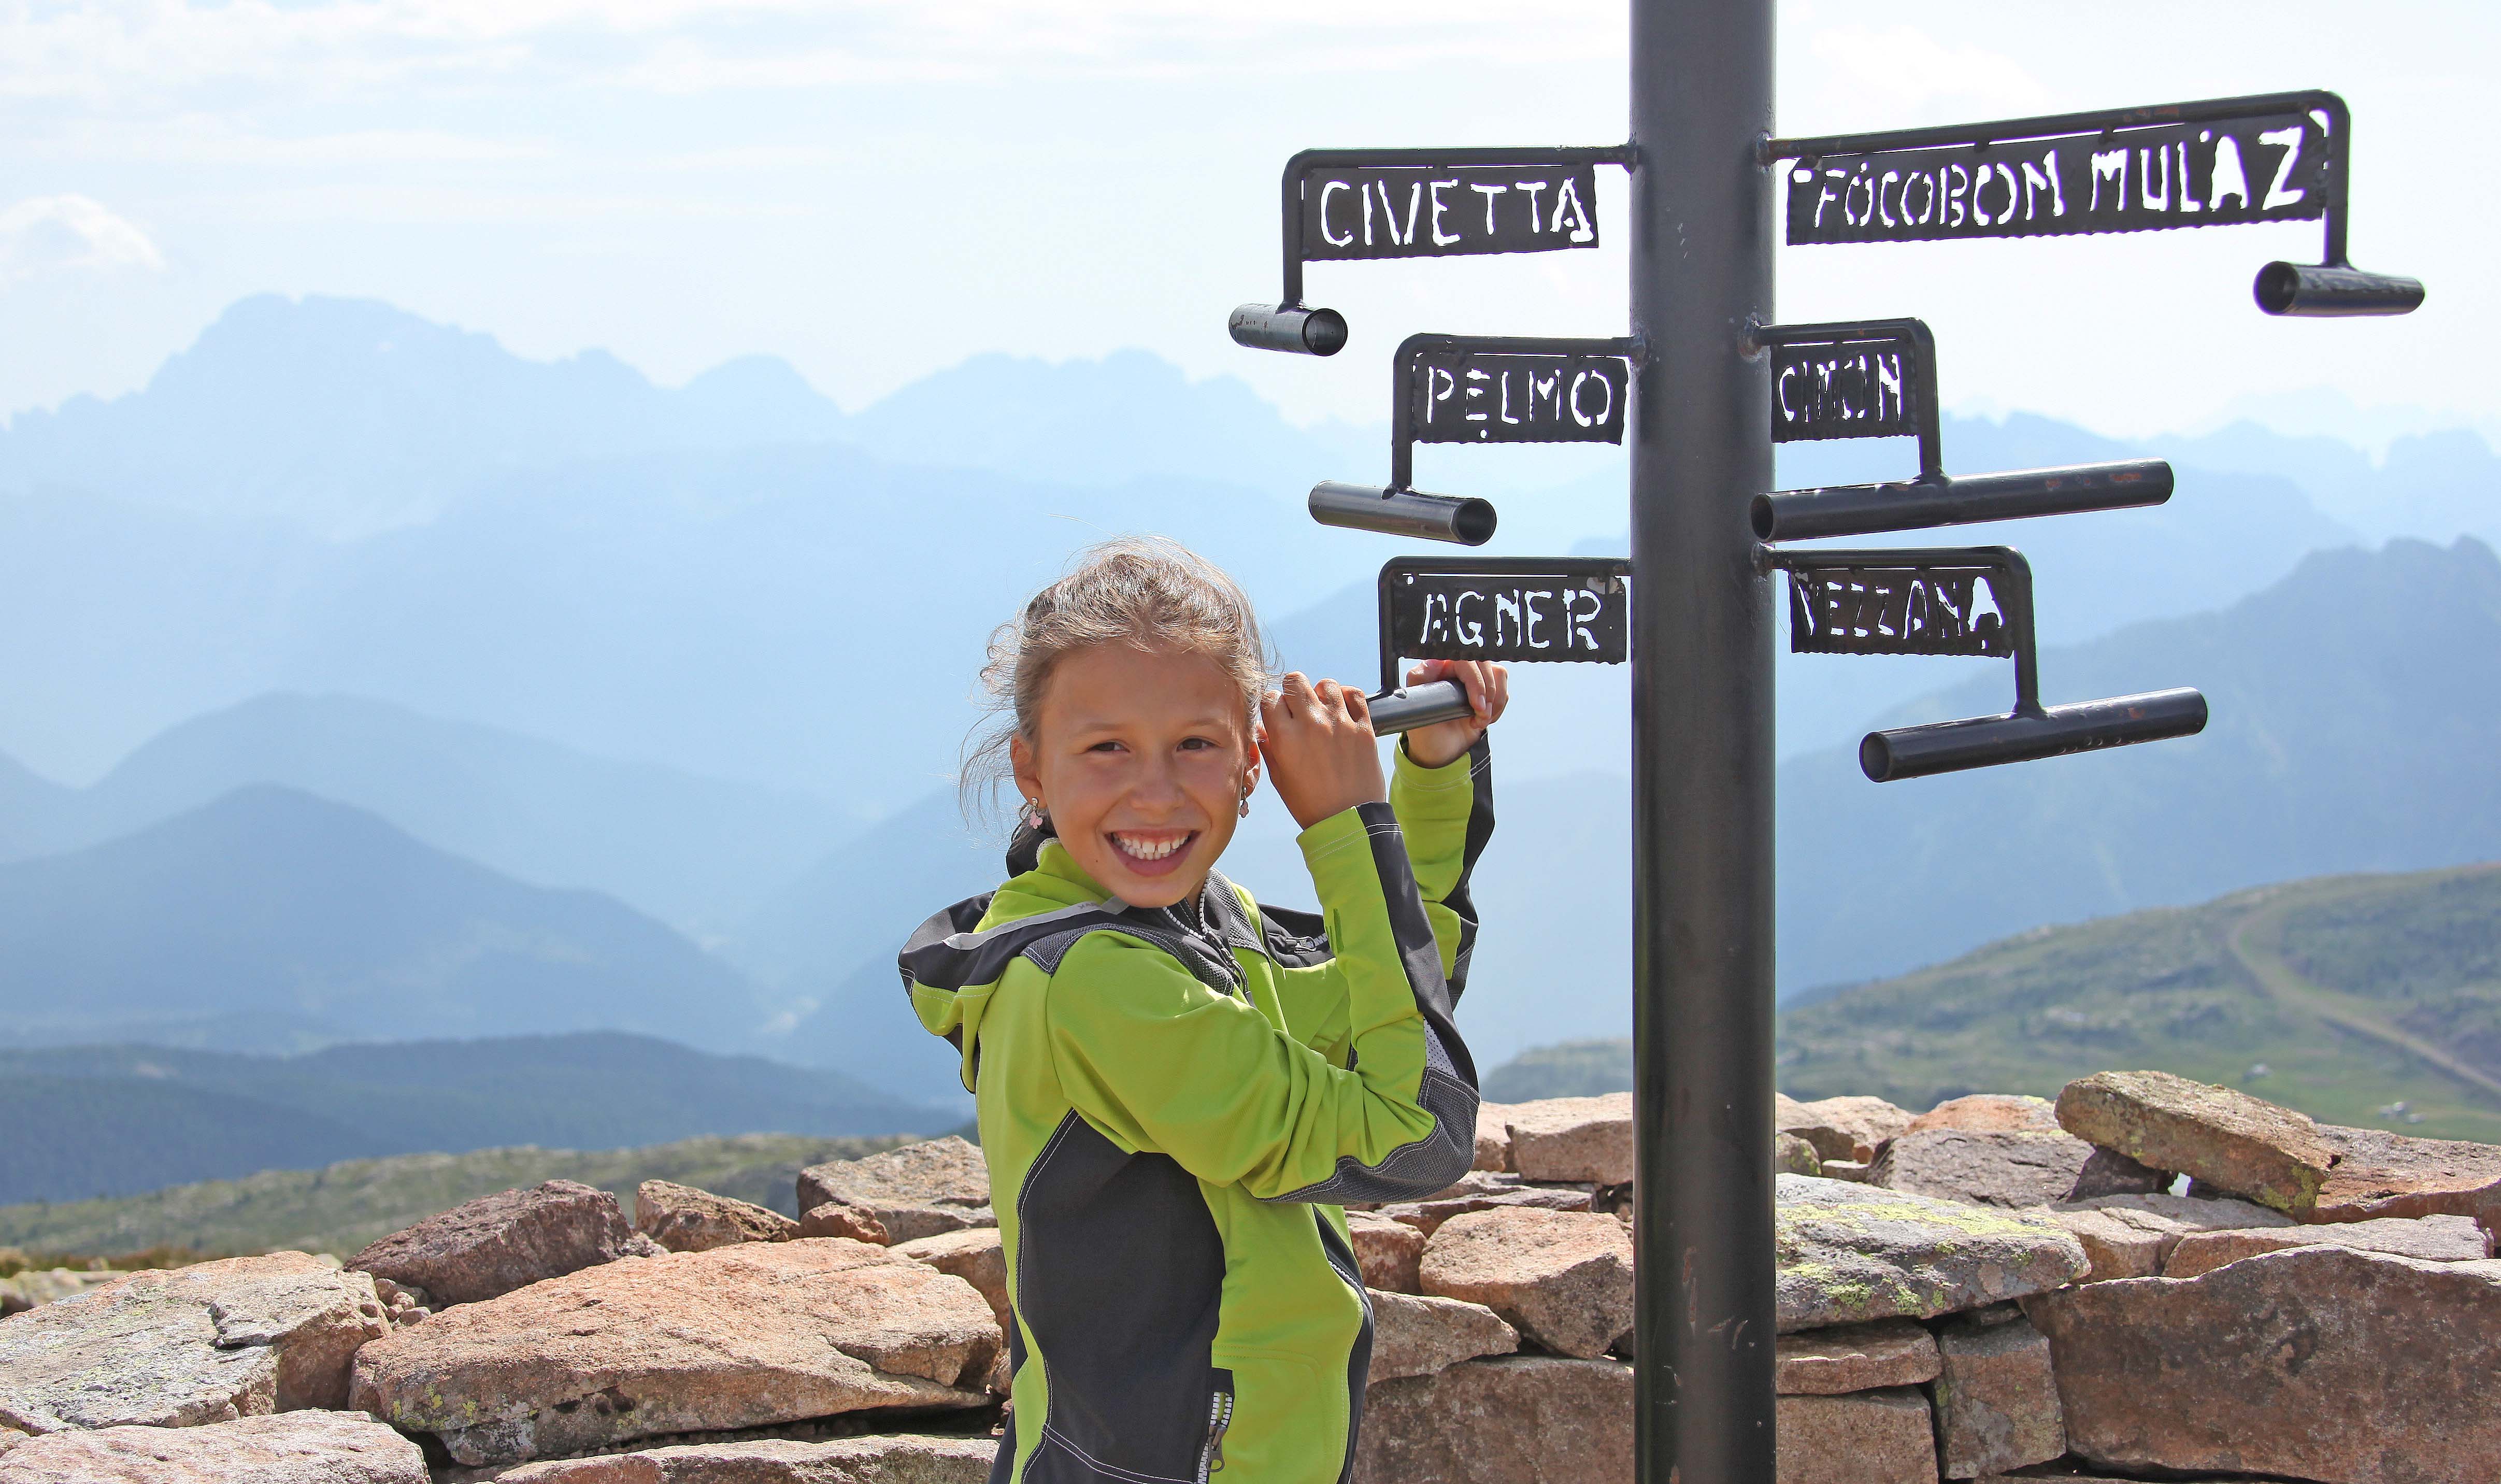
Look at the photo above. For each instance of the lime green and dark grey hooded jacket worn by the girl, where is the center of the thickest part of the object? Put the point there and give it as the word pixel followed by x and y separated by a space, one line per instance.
pixel 1177 1102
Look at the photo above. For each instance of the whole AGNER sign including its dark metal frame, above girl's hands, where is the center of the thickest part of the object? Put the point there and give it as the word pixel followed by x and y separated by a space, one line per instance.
pixel 1562 609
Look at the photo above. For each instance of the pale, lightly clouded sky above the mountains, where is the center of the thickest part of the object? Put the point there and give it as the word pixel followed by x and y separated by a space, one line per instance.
pixel 882 189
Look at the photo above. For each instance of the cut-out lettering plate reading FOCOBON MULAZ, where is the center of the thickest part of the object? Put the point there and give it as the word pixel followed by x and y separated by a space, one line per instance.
pixel 2117 181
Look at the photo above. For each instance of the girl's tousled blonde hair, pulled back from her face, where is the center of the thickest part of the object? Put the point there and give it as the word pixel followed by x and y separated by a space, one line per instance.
pixel 1137 589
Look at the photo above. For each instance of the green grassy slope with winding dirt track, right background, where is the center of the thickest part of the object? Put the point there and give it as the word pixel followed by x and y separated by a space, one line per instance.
pixel 2337 997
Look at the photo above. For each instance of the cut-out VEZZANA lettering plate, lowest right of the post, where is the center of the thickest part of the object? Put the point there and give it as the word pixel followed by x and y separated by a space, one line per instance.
pixel 1940 609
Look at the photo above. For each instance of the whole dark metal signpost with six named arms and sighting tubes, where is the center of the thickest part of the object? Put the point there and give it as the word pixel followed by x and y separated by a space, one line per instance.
pixel 1707 384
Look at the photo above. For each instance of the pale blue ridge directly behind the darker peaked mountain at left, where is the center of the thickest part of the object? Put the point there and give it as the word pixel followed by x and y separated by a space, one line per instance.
pixel 694 852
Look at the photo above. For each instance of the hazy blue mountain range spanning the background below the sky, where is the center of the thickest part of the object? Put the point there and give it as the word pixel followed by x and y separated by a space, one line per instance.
pixel 416 689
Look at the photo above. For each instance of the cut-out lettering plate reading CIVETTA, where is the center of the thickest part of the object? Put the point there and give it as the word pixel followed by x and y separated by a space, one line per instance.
pixel 1402 211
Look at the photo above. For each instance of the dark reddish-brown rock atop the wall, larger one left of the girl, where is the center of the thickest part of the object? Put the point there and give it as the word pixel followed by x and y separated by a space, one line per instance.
pixel 504 1243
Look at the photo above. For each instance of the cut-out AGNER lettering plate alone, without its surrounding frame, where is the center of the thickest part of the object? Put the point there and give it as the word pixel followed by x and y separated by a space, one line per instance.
pixel 1512 619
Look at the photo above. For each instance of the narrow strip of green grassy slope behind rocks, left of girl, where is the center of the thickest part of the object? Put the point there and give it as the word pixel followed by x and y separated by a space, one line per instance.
pixel 349 1205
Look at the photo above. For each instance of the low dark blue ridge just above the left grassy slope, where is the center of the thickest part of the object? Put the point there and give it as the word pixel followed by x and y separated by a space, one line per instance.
pixel 111 1120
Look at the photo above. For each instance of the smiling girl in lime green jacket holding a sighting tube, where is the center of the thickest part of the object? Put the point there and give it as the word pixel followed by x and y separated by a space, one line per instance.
pixel 1182 1087
